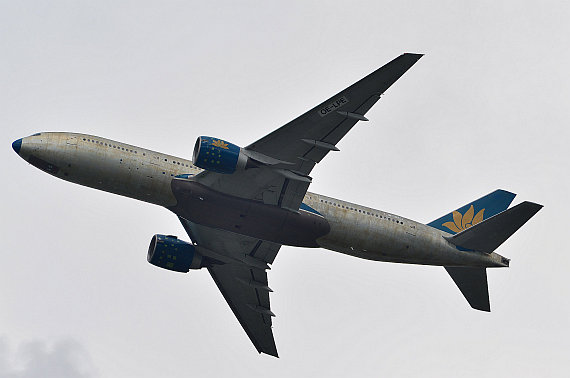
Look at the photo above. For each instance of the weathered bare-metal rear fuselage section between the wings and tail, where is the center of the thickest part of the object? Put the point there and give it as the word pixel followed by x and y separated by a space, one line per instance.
pixel 376 235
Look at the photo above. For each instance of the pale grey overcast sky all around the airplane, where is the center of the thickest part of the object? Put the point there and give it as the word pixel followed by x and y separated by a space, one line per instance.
pixel 486 108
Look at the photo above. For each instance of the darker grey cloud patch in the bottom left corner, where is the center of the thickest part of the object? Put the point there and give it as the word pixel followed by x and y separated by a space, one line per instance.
pixel 65 358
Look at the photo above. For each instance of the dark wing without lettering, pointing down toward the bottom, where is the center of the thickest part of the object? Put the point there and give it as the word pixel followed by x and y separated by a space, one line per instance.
pixel 243 284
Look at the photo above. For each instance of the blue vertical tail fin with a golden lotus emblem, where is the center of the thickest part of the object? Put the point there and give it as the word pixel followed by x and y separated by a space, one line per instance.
pixel 474 212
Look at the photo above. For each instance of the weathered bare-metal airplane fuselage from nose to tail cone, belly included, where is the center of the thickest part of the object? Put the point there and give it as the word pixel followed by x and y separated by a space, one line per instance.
pixel 321 222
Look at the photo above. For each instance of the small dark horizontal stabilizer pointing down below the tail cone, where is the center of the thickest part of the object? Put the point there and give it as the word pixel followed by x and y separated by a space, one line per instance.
pixel 473 285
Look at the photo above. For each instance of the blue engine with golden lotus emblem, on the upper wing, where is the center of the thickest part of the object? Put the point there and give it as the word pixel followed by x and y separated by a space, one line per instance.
pixel 217 155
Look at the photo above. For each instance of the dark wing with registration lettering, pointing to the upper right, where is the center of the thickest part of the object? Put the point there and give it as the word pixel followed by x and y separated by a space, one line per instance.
pixel 293 150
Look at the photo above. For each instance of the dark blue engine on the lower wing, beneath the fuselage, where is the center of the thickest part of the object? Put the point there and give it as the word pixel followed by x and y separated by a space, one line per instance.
pixel 170 253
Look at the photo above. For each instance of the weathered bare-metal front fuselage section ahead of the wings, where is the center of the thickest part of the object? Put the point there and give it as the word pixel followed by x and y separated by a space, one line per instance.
pixel 108 165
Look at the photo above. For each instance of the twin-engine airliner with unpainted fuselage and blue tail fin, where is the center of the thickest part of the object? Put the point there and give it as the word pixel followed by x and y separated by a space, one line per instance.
pixel 239 205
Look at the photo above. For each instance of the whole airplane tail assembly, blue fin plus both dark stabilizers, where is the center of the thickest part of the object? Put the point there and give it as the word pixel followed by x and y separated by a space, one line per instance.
pixel 482 226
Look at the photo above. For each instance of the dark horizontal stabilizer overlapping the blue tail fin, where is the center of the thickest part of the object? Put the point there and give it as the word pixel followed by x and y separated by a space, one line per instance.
pixel 491 233
